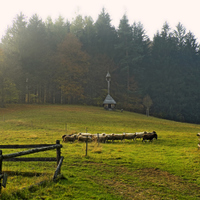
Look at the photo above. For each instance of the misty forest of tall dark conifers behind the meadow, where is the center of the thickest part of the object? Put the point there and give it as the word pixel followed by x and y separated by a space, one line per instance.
pixel 63 62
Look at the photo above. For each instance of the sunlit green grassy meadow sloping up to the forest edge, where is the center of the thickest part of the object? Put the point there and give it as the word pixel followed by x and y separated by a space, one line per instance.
pixel 167 168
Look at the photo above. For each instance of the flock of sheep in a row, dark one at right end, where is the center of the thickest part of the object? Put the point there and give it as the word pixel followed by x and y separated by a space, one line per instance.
pixel 103 138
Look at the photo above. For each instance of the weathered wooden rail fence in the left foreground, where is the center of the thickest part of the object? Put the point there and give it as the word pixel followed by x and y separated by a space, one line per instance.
pixel 34 149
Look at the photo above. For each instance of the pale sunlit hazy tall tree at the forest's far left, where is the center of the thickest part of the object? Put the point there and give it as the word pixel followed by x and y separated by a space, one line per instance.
pixel 14 47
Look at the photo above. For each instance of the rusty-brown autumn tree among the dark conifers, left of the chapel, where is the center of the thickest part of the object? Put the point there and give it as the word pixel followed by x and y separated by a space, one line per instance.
pixel 72 67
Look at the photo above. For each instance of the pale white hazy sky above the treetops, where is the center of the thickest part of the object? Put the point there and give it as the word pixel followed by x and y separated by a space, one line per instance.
pixel 151 13
